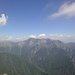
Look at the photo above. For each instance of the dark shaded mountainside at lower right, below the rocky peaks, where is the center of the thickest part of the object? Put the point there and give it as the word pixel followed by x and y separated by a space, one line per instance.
pixel 57 62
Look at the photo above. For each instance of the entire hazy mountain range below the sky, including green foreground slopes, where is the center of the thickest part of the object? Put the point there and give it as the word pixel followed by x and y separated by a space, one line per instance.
pixel 37 57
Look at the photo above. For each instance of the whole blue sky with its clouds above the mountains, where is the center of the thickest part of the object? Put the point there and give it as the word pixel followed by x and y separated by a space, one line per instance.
pixel 20 19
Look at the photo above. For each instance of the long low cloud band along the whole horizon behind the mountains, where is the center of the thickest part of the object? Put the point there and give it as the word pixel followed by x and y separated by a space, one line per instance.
pixel 61 37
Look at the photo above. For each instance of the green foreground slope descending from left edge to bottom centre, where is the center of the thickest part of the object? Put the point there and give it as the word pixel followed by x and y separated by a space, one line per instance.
pixel 14 65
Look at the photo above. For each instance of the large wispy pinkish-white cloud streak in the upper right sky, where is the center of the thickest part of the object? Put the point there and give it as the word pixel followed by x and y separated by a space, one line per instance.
pixel 67 9
